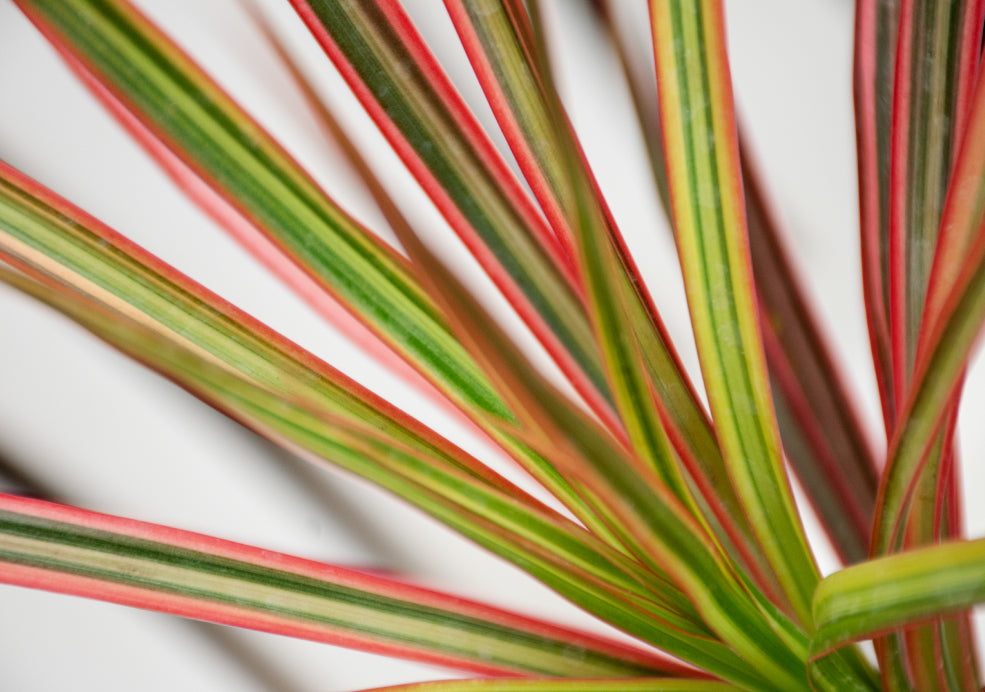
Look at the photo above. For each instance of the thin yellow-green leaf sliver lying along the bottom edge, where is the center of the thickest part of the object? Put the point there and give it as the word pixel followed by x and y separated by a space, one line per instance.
pixel 487 685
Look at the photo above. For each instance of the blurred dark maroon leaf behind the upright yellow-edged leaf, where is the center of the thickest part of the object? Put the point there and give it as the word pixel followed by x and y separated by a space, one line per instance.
pixel 823 436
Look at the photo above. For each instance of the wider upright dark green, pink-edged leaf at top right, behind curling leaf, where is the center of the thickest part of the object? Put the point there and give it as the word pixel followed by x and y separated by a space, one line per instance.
pixel 937 59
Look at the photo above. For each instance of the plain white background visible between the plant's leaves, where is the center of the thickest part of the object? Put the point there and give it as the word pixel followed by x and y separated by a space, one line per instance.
pixel 108 435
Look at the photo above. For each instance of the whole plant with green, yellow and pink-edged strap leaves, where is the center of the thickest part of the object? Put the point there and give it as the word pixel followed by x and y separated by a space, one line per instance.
pixel 674 522
